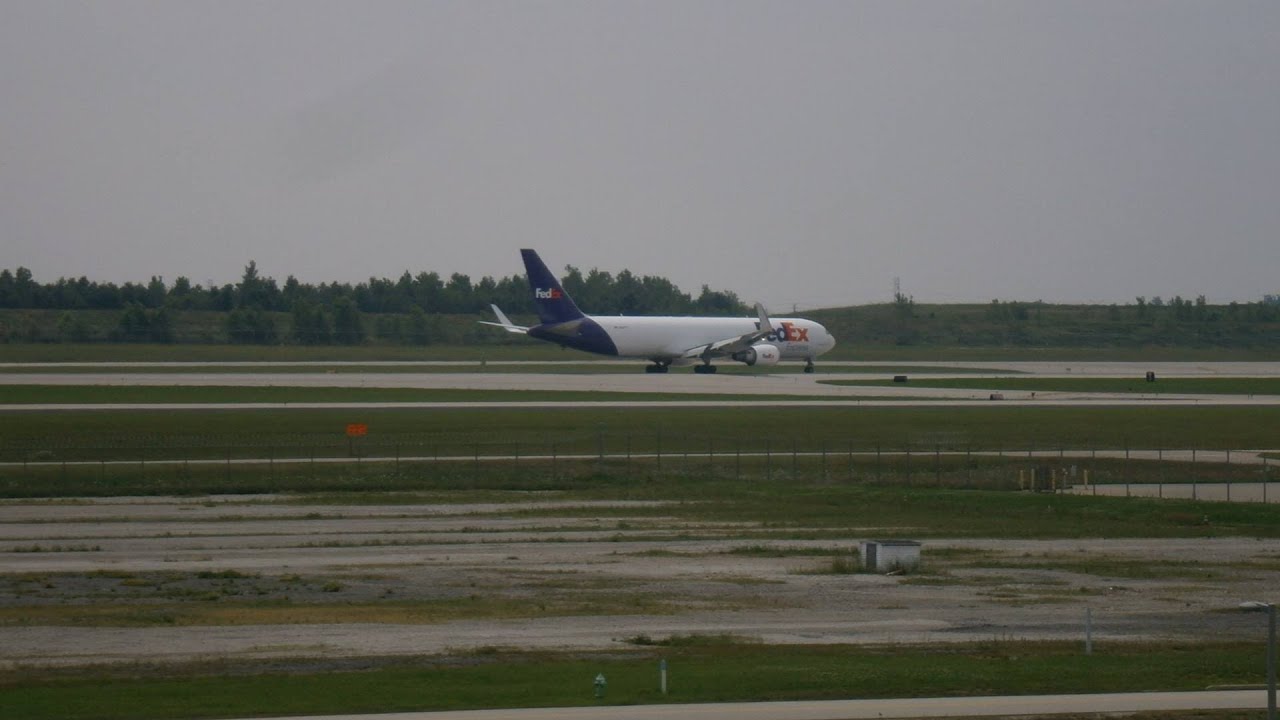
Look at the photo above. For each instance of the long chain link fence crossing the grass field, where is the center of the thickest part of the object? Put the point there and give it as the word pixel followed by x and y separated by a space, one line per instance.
pixel 301 462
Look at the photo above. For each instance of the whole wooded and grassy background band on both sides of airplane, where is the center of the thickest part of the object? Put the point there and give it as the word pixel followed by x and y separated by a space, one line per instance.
pixel 414 309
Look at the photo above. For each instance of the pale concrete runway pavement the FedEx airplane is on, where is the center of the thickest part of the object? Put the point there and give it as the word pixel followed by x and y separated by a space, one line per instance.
pixel 753 390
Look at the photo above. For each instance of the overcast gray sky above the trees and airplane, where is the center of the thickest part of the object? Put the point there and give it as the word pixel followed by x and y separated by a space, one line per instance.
pixel 793 152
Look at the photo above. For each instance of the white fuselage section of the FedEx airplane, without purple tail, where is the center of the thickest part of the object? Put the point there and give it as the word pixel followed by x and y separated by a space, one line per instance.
pixel 671 338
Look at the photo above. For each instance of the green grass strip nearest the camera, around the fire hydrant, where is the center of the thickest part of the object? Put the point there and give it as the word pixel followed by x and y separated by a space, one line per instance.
pixel 700 671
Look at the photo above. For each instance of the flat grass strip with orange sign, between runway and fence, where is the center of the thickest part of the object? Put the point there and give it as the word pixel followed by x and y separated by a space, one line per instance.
pixel 465 431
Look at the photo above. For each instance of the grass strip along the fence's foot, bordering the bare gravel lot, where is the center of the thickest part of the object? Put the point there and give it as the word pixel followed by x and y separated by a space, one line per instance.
pixel 797 499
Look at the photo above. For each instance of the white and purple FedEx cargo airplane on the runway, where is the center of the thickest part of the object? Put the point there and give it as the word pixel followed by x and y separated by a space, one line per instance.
pixel 665 341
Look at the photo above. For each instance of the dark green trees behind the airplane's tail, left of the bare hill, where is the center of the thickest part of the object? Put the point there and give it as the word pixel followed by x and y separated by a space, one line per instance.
pixel 405 311
